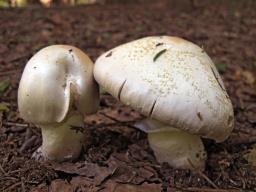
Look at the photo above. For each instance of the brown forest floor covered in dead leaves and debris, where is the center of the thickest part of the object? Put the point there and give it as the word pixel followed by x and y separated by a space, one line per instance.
pixel 117 157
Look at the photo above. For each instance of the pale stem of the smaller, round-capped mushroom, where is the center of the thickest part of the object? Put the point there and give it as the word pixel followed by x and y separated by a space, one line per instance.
pixel 60 141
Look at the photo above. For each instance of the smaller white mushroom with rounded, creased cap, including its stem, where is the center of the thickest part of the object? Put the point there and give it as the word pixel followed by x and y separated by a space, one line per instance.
pixel 56 90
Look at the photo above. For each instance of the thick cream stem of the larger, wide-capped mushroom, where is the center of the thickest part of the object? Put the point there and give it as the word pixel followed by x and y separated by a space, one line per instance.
pixel 179 148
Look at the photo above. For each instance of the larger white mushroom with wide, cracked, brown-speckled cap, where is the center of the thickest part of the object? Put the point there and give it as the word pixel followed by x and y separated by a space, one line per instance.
pixel 176 85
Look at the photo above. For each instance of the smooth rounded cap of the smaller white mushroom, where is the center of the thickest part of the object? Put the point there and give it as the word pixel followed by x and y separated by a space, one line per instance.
pixel 56 79
